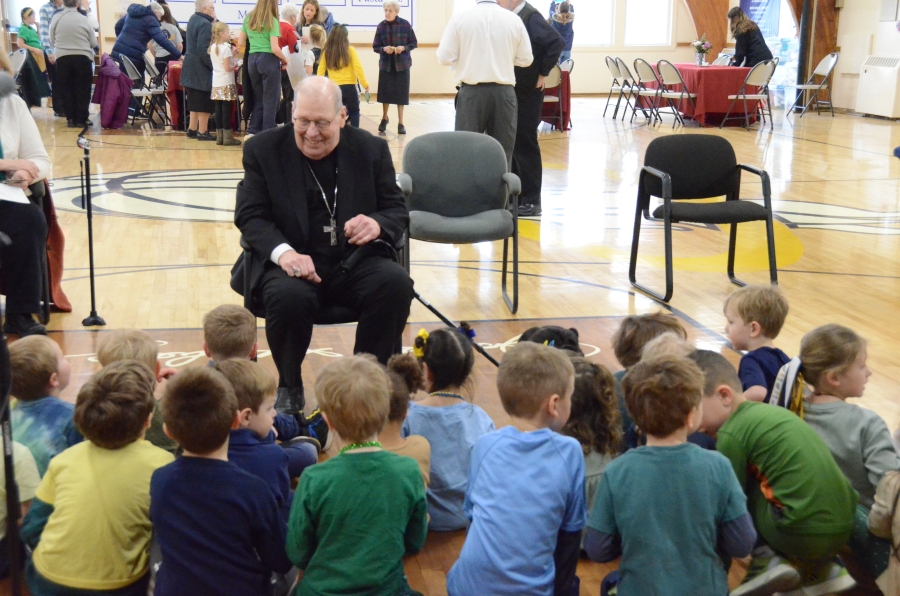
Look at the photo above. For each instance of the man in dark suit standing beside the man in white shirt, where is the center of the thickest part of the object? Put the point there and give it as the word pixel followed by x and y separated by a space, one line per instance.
pixel 546 46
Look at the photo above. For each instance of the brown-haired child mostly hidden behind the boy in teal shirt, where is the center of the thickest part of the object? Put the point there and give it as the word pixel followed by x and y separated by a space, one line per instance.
pixel 628 342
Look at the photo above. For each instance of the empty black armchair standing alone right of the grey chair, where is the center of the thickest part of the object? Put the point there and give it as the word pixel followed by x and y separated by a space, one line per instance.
pixel 682 168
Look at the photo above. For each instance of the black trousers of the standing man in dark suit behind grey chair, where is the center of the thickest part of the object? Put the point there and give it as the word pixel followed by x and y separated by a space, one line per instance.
pixel 527 163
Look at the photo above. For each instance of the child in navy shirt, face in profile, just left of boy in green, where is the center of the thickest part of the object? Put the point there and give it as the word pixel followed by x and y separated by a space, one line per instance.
pixel 252 446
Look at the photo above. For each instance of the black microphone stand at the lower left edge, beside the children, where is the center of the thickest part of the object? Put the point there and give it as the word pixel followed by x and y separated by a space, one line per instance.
pixel 13 511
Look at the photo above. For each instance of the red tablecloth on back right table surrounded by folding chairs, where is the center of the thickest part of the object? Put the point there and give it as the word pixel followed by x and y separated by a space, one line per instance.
pixel 713 85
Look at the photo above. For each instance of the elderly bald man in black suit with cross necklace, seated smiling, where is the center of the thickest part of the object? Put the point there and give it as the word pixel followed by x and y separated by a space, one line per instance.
pixel 311 196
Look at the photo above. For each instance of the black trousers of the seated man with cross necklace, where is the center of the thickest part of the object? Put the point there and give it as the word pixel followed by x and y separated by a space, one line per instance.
pixel 377 287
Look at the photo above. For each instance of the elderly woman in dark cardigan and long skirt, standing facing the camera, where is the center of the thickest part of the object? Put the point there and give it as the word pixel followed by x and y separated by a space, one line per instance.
pixel 394 40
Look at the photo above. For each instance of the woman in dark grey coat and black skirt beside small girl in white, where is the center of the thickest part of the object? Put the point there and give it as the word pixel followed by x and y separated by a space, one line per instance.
pixel 196 74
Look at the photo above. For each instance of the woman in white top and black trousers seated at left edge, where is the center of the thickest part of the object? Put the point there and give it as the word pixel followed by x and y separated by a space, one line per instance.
pixel 23 161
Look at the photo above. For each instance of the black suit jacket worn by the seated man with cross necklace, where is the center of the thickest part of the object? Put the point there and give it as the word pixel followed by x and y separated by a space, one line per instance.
pixel 271 199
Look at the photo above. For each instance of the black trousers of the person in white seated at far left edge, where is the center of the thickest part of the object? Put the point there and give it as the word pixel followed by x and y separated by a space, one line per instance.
pixel 20 263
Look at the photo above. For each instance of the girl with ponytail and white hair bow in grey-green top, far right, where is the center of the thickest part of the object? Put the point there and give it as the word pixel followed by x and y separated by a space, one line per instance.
pixel 832 362
